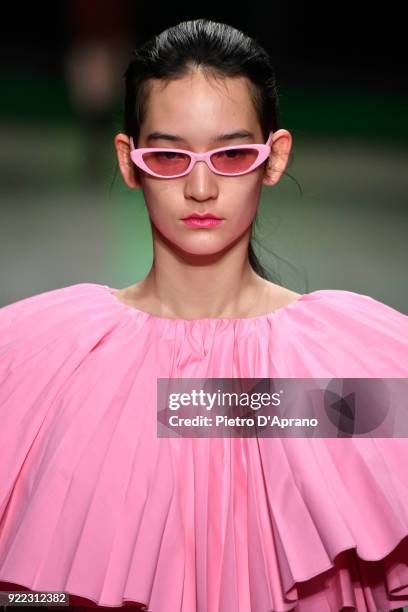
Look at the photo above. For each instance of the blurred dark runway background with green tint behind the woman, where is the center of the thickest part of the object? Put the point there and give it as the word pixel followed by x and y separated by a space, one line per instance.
pixel 343 95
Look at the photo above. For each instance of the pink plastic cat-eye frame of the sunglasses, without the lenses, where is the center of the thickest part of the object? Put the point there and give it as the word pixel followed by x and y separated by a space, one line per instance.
pixel 264 150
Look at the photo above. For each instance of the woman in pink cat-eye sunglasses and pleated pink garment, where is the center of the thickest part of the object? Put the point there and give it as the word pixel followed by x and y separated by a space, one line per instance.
pixel 93 502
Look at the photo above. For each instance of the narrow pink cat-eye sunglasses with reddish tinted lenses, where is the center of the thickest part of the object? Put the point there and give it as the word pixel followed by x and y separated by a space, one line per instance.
pixel 228 161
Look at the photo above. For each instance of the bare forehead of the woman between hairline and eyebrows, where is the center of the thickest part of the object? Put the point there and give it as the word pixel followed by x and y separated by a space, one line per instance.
pixel 199 100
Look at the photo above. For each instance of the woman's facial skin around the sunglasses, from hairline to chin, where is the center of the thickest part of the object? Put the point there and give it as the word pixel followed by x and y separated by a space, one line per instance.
pixel 197 110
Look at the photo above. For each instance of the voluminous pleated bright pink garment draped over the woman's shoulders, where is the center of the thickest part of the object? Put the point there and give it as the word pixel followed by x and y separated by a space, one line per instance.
pixel 93 503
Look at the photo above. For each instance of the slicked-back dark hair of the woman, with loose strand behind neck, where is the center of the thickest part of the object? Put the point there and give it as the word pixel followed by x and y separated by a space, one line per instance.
pixel 220 50
